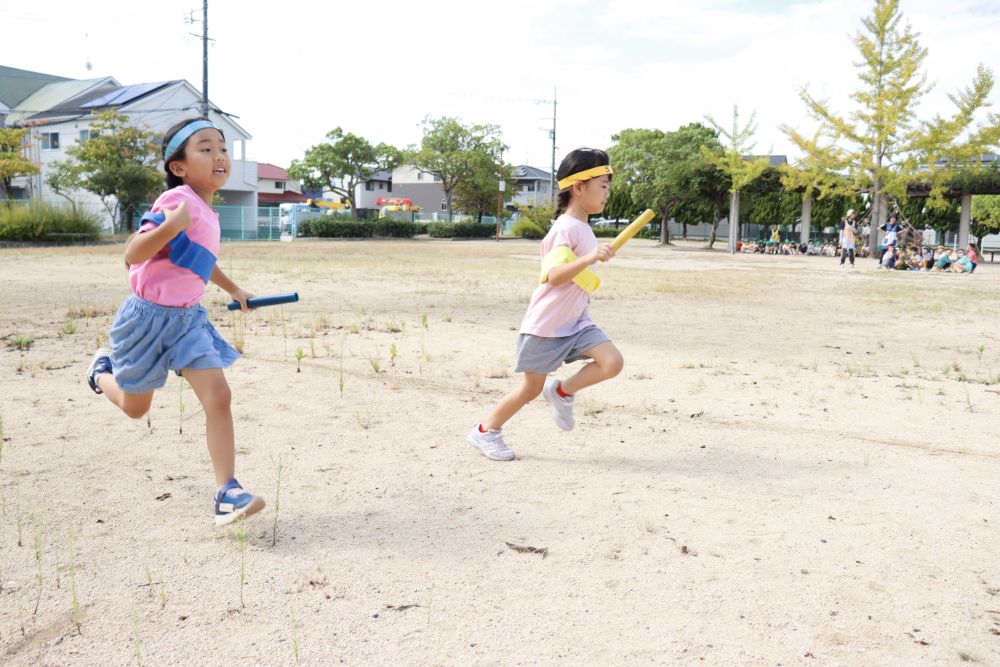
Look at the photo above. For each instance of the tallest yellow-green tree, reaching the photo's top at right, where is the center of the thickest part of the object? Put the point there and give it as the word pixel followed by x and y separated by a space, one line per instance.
pixel 880 146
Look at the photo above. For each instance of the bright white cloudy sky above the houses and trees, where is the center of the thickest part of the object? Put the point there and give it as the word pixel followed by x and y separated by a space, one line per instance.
pixel 292 71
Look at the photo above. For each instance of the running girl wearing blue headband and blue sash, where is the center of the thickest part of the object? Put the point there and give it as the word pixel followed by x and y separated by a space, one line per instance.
pixel 162 326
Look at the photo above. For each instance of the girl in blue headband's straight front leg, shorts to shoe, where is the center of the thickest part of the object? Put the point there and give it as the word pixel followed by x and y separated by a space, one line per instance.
pixel 213 392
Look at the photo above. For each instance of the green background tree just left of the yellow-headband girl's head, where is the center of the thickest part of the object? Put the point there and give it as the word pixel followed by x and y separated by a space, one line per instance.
pixel 454 152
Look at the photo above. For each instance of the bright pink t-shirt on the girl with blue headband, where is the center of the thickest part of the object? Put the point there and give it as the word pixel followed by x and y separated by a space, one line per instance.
pixel 158 279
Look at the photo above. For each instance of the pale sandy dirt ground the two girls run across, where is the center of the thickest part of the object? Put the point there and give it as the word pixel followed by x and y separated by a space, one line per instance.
pixel 799 465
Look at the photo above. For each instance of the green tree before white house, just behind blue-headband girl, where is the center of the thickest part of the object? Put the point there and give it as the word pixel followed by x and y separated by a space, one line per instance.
pixel 118 163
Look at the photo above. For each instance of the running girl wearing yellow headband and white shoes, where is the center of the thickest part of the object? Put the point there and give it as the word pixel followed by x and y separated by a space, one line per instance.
pixel 557 328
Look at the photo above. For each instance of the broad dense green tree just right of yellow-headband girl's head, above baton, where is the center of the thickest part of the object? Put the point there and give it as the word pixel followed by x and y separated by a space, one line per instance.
pixel 661 170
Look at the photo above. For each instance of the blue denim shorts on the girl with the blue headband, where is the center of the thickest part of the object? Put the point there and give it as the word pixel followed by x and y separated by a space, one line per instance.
pixel 149 340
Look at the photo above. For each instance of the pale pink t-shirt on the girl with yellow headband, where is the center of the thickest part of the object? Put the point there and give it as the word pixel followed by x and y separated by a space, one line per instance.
pixel 562 310
